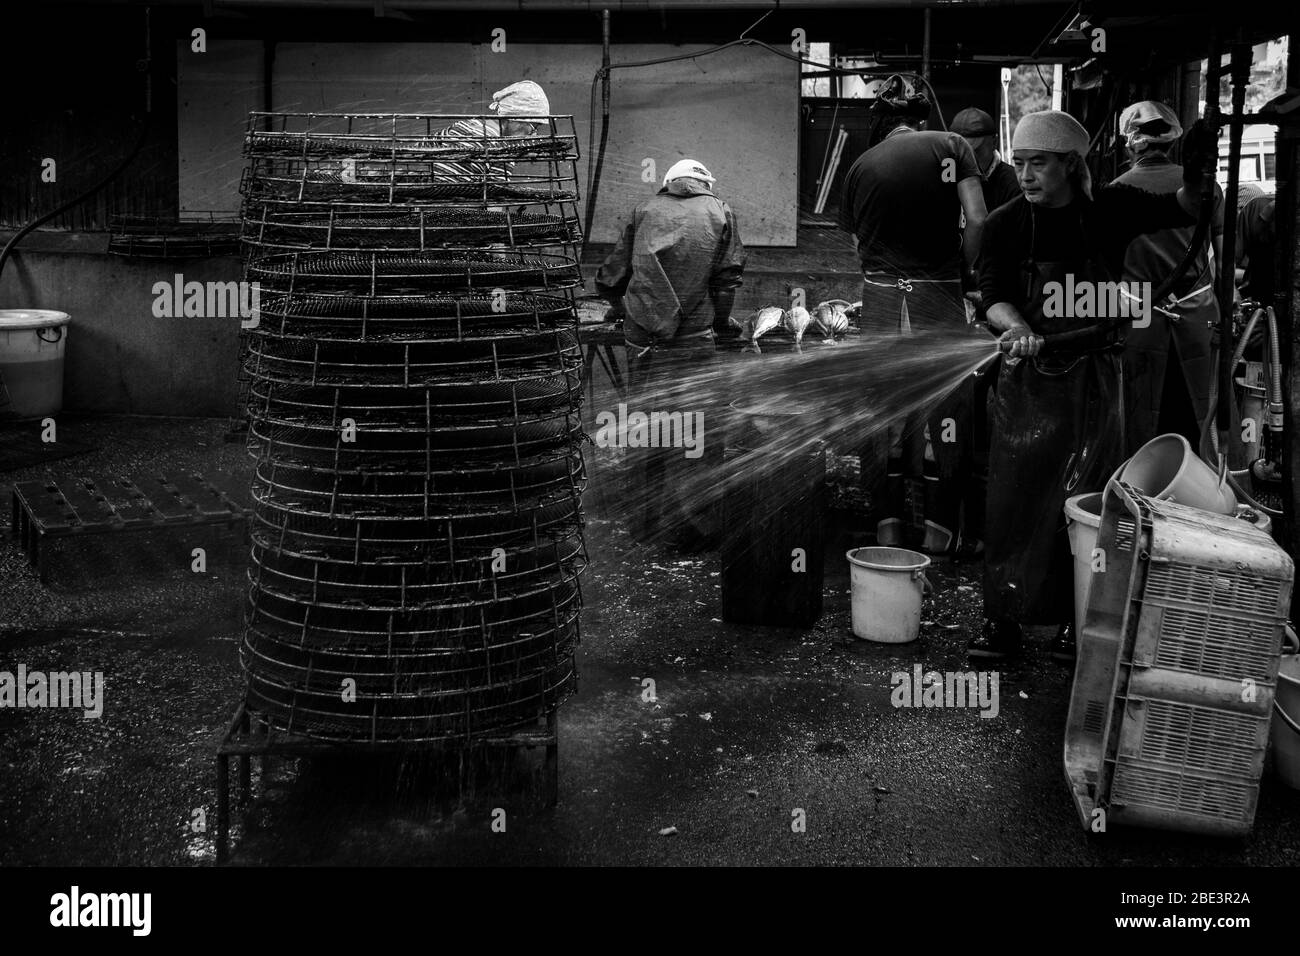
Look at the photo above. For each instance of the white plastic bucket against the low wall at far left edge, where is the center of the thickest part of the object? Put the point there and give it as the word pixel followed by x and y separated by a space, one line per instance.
pixel 32 361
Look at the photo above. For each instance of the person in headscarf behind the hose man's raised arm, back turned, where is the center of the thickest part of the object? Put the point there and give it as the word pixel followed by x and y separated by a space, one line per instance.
pixel 1167 364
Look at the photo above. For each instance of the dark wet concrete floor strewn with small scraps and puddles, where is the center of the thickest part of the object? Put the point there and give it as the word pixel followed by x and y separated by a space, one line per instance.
pixel 748 728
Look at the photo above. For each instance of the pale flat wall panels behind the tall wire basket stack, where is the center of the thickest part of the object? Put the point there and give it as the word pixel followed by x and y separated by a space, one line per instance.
pixel 736 111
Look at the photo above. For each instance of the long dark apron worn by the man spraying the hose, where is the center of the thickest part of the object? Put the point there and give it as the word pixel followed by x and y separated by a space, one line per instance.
pixel 1058 431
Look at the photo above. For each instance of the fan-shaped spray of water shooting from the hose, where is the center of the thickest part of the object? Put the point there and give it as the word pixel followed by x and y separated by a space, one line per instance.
pixel 775 409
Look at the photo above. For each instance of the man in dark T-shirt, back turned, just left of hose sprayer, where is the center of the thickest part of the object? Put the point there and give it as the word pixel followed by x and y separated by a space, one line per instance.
pixel 903 202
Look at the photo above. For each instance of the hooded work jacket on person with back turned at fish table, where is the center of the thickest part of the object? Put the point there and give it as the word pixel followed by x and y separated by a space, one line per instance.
pixel 678 250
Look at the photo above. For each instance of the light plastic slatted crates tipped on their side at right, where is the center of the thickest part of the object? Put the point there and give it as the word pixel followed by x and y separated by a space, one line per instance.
pixel 1178 667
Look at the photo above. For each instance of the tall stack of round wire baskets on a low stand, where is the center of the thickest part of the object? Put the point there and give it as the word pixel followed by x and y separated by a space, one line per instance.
pixel 413 390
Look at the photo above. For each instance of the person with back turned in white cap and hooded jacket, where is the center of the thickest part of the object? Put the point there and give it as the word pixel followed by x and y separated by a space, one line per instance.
pixel 673 278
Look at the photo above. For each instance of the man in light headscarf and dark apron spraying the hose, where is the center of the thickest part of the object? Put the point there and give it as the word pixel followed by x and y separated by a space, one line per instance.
pixel 1056 422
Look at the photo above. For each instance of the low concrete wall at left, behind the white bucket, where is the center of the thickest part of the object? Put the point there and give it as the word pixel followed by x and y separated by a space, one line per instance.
pixel 119 357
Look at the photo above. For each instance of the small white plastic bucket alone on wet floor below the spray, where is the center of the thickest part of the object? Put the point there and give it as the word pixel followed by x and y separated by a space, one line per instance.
pixel 886 587
